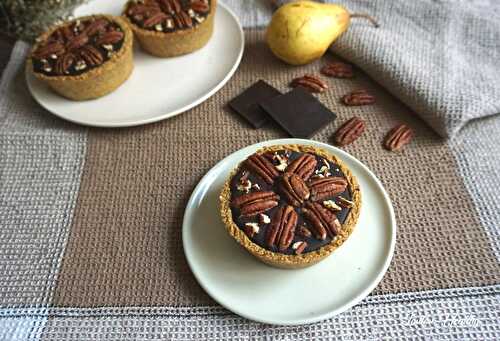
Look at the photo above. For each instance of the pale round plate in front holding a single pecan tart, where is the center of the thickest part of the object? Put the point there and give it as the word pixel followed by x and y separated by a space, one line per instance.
pixel 248 287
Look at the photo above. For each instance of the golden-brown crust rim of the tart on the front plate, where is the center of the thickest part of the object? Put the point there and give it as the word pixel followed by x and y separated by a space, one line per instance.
pixel 302 260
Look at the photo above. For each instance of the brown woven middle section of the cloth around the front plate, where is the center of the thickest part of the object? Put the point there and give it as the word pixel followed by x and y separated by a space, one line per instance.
pixel 125 242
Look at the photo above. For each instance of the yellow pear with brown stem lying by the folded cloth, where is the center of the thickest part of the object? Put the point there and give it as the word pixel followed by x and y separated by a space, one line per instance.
pixel 302 31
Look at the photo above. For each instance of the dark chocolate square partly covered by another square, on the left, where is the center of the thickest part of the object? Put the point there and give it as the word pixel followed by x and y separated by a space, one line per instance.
pixel 246 103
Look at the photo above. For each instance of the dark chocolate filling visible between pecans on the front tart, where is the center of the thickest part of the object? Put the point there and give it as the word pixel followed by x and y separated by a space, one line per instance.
pixel 260 237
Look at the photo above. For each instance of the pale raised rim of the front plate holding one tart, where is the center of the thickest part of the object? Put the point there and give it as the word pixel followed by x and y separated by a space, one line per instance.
pixel 320 317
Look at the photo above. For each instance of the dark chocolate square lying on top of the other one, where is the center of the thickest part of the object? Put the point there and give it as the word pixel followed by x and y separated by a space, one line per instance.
pixel 298 112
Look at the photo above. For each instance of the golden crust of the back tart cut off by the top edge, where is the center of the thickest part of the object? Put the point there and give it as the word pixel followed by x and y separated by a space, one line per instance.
pixel 171 44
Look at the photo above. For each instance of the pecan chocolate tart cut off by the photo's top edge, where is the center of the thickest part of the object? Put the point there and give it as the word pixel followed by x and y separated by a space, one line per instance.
pixel 167 28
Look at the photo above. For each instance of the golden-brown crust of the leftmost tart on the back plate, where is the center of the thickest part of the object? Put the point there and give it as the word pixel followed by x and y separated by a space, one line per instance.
pixel 98 81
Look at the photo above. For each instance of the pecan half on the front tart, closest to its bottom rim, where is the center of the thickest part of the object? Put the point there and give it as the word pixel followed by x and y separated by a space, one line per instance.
pixel 282 229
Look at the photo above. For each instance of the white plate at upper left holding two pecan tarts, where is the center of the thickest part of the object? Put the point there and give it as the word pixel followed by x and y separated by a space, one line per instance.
pixel 158 88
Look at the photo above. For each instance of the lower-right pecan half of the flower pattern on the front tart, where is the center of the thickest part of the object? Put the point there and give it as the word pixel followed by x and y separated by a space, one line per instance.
pixel 323 221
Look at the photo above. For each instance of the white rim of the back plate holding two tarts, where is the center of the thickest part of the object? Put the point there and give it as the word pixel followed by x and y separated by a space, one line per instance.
pixel 29 80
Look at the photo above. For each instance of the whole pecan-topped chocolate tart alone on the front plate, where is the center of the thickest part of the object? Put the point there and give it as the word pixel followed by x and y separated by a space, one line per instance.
pixel 290 205
